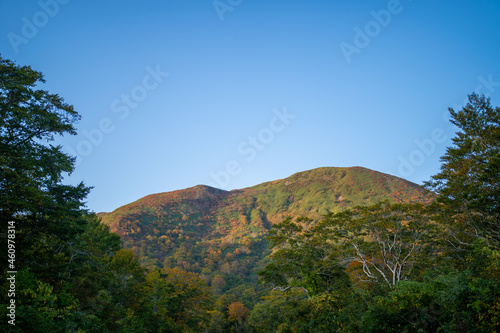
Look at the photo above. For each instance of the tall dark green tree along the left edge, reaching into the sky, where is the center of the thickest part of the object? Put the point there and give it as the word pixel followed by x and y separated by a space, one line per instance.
pixel 47 214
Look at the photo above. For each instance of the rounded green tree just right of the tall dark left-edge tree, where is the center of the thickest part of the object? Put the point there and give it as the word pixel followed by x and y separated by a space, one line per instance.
pixel 104 277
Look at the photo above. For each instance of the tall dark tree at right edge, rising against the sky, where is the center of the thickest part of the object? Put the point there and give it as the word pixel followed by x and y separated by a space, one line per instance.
pixel 468 185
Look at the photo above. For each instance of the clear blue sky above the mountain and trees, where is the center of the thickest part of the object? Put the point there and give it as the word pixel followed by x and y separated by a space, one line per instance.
pixel 233 93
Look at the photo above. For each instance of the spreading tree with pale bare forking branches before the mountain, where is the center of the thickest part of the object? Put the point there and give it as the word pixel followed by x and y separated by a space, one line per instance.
pixel 388 241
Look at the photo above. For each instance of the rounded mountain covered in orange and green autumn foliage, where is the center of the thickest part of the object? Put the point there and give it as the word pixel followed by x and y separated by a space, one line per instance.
pixel 221 234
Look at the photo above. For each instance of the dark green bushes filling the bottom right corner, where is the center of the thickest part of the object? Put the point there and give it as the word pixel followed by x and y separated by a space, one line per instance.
pixel 445 301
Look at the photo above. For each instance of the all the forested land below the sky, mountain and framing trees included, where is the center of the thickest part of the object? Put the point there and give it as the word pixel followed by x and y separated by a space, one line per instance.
pixel 411 260
